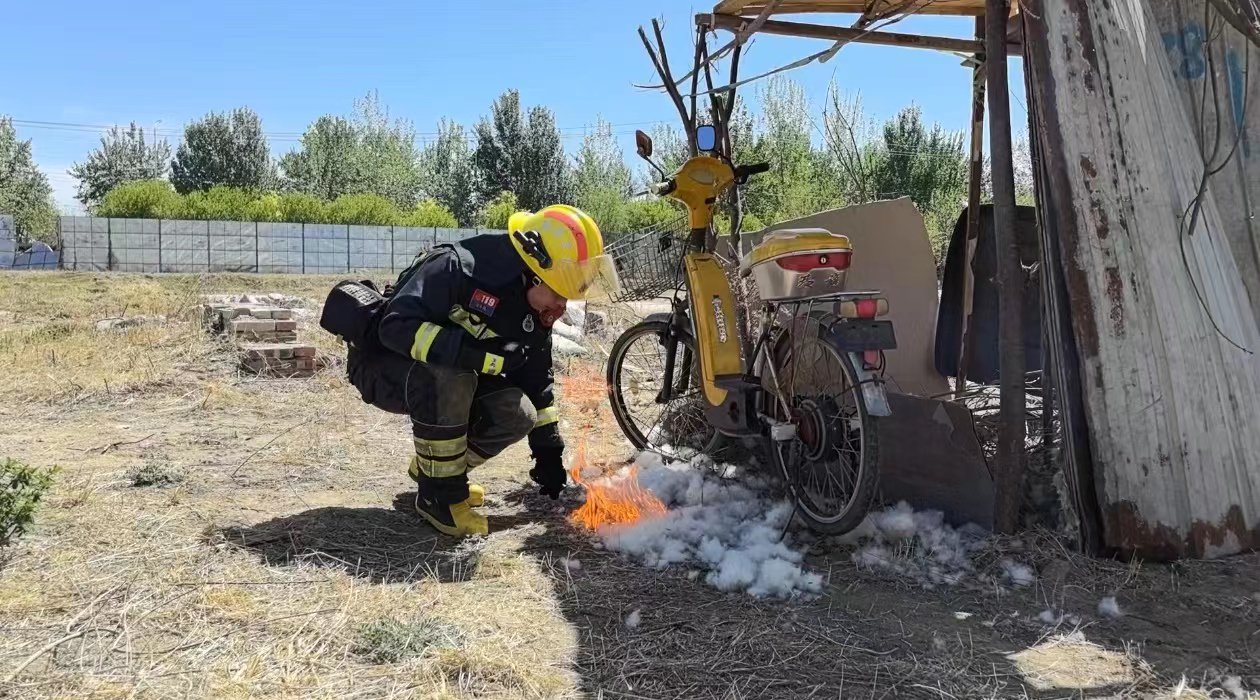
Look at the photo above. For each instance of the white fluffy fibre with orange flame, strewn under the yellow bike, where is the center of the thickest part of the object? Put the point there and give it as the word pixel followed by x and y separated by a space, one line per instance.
pixel 686 516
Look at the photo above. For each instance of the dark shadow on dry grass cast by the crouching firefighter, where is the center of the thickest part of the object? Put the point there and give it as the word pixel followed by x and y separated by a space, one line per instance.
pixel 374 543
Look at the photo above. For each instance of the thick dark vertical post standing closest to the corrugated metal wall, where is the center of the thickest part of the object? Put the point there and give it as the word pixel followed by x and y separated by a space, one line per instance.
pixel 1011 436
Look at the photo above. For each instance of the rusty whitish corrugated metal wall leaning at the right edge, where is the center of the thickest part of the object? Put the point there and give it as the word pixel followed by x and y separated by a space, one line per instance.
pixel 1164 314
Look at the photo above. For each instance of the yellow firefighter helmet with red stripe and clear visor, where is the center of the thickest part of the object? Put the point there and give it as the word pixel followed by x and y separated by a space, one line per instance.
pixel 564 247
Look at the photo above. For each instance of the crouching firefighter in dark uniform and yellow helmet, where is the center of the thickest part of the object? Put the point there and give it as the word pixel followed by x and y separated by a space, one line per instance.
pixel 466 352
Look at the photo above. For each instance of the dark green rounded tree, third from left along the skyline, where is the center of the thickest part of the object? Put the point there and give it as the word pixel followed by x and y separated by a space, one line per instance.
pixel 224 149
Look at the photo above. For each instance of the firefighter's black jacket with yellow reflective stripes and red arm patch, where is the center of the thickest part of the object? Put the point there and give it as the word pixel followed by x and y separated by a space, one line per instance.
pixel 474 289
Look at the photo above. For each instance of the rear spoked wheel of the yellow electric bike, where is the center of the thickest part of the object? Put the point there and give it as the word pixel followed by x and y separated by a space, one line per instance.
pixel 831 464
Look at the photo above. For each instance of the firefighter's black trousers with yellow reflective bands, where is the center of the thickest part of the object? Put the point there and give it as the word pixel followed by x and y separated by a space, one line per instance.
pixel 459 419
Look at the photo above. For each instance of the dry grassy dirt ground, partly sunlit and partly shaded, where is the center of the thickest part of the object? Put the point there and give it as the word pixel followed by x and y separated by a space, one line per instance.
pixel 215 534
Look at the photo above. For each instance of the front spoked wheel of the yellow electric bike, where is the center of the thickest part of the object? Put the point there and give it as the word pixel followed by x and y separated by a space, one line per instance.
pixel 637 376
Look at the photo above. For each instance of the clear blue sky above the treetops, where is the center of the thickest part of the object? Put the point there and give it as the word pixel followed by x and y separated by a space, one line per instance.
pixel 162 62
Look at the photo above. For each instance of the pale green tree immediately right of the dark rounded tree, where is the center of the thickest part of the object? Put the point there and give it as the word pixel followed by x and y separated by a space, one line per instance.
pixel 327 164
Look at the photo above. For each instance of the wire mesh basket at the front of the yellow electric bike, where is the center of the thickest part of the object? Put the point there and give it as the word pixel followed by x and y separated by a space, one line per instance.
pixel 651 261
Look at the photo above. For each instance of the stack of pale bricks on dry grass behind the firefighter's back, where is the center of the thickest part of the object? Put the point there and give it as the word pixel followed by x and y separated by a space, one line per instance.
pixel 265 337
